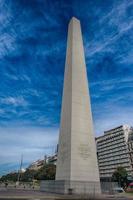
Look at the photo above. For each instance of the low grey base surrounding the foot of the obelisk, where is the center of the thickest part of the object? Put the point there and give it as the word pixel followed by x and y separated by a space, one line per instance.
pixel 70 187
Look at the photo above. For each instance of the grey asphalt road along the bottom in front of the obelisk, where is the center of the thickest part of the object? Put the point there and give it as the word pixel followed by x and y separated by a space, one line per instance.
pixel 21 194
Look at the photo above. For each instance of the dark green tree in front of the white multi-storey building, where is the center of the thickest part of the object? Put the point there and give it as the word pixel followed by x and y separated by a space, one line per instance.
pixel 120 175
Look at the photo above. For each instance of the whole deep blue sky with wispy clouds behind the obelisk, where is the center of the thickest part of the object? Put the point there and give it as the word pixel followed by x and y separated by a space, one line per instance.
pixel 33 38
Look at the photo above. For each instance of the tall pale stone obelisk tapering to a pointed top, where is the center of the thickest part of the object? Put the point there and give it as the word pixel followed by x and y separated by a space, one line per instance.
pixel 77 160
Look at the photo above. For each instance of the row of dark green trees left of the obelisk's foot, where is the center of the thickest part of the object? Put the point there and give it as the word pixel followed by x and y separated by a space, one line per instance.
pixel 47 172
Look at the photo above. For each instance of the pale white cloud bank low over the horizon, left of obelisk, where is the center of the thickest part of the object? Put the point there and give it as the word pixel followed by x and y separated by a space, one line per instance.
pixel 32 142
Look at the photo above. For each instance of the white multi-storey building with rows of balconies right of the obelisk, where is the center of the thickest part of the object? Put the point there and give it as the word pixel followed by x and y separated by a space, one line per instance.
pixel 113 150
